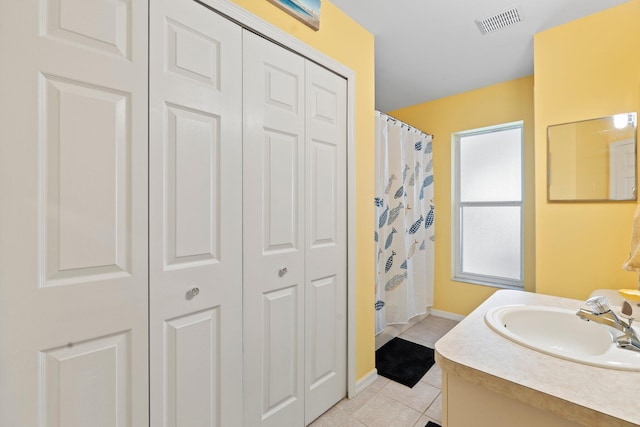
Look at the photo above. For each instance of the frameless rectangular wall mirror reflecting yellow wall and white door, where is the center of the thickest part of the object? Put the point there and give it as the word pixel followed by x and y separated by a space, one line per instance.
pixel 593 160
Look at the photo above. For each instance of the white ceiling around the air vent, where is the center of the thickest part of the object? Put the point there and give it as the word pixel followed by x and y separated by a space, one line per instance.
pixel 427 49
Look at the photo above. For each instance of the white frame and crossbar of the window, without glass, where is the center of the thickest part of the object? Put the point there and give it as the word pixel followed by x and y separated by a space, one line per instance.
pixel 456 233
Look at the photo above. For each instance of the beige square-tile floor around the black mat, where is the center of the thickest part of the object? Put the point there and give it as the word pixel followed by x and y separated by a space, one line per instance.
pixel 386 403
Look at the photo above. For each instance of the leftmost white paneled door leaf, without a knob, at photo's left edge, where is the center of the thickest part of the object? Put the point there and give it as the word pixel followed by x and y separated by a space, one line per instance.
pixel 73 214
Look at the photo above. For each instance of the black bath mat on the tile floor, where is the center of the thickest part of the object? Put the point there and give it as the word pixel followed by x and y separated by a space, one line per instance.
pixel 403 361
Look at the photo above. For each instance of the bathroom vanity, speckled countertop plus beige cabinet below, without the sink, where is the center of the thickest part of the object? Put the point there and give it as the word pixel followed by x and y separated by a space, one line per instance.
pixel 490 381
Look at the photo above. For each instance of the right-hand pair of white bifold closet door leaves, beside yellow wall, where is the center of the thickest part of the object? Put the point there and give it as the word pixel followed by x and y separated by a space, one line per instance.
pixel 294 236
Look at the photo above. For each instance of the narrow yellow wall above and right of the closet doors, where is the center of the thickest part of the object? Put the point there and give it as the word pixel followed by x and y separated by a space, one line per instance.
pixel 347 42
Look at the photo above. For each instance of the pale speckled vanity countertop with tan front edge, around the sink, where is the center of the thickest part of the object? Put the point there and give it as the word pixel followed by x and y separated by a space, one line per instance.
pixel 588 395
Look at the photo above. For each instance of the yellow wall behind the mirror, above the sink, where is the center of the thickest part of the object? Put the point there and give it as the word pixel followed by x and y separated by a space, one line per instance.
pixel 584 69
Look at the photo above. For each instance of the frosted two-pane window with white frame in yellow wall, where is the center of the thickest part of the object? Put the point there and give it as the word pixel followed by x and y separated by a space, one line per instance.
pixel 488 211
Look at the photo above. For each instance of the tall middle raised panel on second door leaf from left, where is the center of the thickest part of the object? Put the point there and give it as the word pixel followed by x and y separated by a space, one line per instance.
pixel 192 196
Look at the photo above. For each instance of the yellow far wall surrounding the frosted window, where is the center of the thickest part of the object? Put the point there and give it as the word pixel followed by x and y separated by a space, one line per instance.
pixel 502 103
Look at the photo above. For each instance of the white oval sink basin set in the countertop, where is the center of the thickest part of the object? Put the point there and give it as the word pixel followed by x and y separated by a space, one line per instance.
pixel 560 333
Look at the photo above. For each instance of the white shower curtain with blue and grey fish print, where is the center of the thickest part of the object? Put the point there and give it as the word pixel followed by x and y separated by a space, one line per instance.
pixel 404 222
